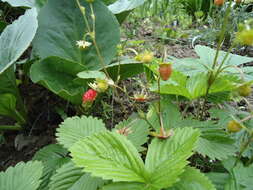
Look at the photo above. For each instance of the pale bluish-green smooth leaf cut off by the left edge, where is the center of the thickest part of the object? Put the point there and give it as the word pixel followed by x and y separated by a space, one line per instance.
pixel 16 38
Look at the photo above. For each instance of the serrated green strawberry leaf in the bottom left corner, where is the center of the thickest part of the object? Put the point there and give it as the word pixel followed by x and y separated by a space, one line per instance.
pixel 24 176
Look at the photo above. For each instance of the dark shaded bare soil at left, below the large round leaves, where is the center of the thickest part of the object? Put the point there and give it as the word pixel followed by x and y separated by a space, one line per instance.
pixel 22 145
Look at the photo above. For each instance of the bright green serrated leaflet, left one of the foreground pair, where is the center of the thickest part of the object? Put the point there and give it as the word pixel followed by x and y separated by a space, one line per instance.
pixel 110 156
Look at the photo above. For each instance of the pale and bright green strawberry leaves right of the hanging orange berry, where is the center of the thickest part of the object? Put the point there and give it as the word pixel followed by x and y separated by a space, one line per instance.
pixel 191 80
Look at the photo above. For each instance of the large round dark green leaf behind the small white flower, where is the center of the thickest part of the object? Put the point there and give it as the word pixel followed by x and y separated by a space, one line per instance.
pixel 59 31
